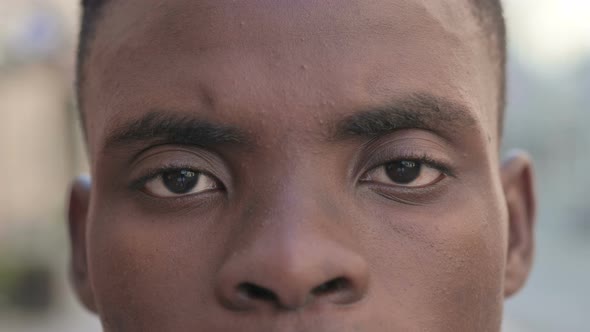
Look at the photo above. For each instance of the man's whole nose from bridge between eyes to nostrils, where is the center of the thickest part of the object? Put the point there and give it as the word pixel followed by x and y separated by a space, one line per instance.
pixel 296 254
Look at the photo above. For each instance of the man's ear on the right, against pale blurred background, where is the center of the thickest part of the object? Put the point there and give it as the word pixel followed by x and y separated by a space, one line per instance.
pixel 518 183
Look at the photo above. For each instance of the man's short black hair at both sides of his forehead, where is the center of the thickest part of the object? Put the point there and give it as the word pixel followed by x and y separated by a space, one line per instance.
pixel 489 14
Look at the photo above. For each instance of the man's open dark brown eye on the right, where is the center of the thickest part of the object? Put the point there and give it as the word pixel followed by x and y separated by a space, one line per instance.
pixel 405 173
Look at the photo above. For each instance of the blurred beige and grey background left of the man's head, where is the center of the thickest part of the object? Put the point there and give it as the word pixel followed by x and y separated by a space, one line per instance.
pixel 40 149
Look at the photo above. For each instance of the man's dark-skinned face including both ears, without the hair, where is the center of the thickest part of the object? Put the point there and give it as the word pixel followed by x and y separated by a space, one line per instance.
pixel 297 166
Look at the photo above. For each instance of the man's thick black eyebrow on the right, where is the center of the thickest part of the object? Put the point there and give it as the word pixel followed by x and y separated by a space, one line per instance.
pixel 418 111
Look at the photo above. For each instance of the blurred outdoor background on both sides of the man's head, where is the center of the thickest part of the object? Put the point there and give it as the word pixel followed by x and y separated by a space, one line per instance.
pixel 41 150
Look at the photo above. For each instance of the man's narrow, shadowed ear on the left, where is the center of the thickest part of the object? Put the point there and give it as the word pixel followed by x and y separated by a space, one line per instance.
pixel 78 221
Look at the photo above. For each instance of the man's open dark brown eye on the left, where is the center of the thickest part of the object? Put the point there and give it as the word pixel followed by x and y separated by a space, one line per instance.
pixel 180 182
